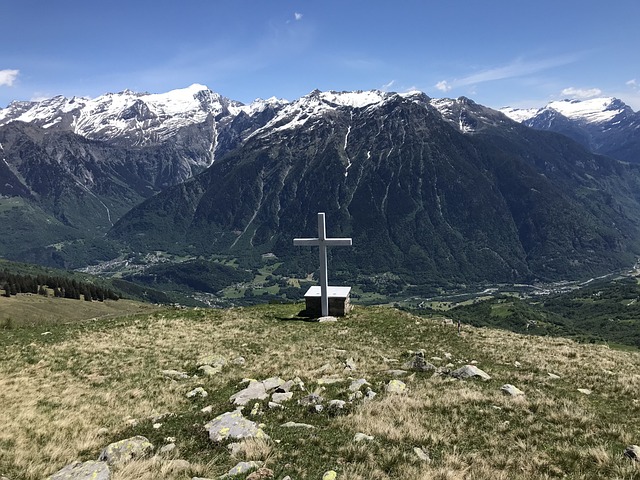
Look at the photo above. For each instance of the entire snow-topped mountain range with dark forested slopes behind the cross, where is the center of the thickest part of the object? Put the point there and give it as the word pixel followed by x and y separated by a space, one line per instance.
pixel 431 190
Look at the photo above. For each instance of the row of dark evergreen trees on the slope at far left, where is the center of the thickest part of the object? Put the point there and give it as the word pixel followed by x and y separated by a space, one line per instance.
pixel 13 284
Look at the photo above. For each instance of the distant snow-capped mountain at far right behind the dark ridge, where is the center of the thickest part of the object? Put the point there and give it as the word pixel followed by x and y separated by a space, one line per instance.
pixel 604 125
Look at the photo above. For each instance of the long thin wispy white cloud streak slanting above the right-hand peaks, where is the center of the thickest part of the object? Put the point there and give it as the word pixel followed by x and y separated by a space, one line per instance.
pixel 518 68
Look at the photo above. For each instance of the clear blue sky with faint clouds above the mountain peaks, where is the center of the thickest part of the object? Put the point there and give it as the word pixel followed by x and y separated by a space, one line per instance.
pixel 521 53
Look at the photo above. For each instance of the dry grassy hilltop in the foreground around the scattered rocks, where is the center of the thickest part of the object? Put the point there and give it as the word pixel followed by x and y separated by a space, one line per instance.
pixel 68 394
